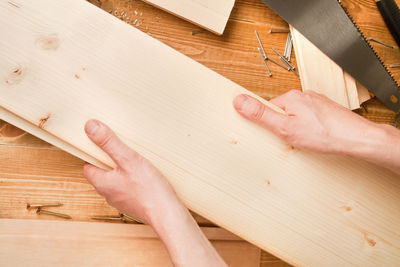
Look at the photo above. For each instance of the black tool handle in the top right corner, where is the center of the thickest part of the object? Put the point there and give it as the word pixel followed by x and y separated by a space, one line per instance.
pixel 391 14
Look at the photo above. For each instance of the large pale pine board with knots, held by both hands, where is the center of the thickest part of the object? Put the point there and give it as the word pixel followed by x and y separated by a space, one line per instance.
pixel 308 209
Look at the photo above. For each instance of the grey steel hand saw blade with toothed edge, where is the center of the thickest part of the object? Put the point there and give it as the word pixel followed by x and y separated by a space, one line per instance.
pixel 328 25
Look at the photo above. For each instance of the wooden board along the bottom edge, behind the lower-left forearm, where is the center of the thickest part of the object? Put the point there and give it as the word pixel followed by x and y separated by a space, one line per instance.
pixel 50 243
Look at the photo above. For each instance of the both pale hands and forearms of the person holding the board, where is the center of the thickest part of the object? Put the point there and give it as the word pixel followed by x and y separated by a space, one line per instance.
pixel 311 122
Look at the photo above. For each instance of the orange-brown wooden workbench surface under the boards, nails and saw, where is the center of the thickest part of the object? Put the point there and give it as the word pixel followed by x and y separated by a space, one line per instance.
pixel 34 171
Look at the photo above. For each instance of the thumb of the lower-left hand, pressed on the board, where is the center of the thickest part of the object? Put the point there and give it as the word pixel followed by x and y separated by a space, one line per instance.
pixel 106 139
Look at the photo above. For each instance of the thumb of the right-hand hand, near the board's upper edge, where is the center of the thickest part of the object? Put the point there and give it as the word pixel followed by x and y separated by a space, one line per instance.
pixel 254 110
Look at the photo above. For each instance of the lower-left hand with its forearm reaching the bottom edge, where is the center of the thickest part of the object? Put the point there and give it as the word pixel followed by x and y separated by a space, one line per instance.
pixel 137 188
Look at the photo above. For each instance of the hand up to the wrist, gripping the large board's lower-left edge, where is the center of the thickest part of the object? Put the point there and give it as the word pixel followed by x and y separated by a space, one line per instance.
pixel 135 186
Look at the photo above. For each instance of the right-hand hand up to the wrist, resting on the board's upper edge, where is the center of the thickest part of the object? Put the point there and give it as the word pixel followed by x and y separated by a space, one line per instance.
pixel 311 122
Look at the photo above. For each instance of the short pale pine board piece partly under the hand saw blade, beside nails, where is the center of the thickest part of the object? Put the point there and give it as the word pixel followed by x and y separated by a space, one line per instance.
pixel 320 74
